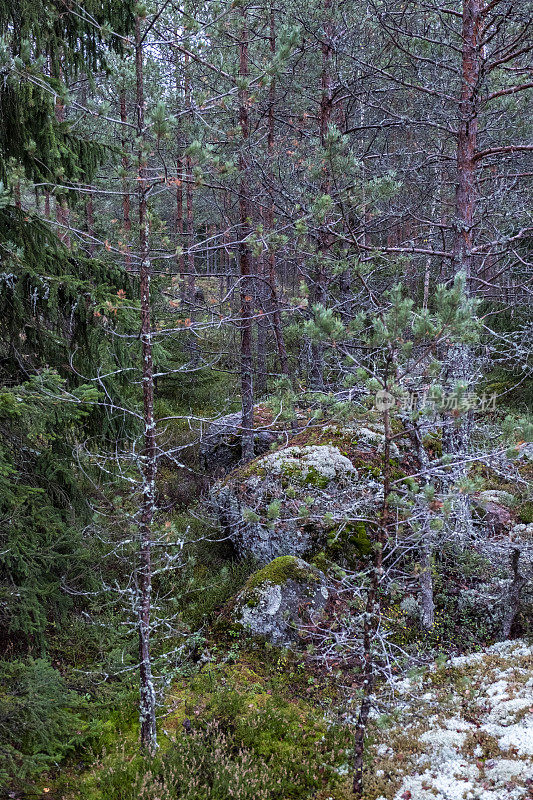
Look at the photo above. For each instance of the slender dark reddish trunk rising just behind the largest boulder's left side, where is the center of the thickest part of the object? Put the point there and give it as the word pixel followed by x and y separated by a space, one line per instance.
pixel 245 260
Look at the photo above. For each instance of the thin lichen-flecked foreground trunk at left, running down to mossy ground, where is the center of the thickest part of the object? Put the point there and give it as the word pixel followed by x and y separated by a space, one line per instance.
pixel 149 456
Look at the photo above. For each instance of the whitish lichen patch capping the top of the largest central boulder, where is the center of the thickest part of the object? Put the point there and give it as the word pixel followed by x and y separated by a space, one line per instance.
pixel 303 463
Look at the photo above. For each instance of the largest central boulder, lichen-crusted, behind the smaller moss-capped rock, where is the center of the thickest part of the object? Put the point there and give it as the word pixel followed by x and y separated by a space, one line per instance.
pixel 293 501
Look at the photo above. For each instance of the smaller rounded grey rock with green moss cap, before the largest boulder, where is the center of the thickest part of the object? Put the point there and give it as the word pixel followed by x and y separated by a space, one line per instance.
pixel 281 598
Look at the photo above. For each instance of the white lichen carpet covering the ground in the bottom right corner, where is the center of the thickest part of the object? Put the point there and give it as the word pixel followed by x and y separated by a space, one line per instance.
pixel 464 731
